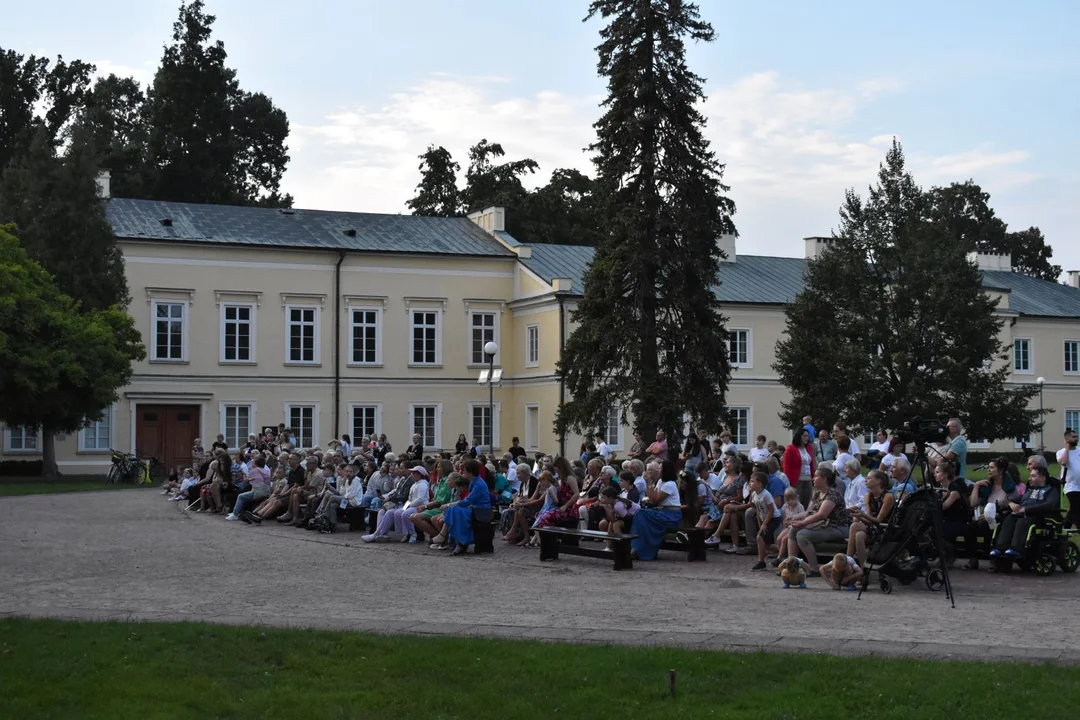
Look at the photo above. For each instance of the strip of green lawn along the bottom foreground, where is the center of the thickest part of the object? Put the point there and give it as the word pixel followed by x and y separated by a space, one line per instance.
pixel 66 670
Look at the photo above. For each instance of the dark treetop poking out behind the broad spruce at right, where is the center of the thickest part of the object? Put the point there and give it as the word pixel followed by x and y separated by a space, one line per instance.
pixel 965 210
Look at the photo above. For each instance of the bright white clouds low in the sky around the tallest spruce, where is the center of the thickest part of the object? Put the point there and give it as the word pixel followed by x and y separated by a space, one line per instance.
pixel 790 151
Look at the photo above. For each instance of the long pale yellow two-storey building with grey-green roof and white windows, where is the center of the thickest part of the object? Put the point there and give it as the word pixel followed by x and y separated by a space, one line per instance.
pixel 359 323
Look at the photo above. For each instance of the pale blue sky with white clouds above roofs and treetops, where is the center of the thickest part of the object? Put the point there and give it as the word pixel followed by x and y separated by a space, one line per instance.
pixel 804 99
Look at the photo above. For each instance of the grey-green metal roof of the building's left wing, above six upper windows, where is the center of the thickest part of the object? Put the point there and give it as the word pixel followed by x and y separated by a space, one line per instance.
pixel 232 225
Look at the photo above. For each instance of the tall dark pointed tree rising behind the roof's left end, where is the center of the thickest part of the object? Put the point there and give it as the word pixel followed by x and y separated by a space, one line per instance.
pixel 209 141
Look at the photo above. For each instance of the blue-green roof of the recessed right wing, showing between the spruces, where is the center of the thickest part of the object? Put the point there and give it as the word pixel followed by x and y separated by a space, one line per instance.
pixel 764 280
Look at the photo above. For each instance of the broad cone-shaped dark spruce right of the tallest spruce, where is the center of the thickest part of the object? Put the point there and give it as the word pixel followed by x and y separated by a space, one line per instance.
pixel 894 323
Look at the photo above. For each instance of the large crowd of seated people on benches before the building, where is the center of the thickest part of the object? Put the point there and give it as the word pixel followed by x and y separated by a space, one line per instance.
pixel 804 500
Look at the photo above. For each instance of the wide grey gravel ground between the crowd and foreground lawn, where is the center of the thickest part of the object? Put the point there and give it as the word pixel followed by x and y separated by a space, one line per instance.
pixel 133 555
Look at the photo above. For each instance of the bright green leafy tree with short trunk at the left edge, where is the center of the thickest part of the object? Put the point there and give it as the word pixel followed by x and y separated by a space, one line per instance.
pixel 60 365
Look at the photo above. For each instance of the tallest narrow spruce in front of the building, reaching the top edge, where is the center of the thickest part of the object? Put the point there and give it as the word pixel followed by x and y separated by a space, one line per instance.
pixel 651 336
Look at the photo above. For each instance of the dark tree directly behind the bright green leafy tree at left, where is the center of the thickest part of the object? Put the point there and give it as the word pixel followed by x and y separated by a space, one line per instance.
pixel 53 201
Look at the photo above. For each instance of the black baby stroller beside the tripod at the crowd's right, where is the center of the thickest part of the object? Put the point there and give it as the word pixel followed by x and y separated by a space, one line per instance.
pixel 910 545
